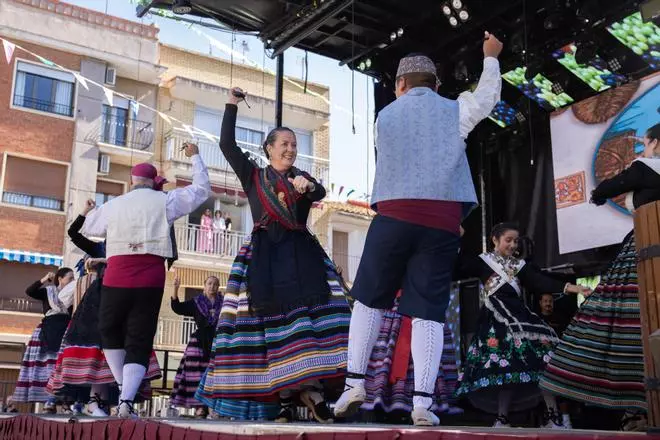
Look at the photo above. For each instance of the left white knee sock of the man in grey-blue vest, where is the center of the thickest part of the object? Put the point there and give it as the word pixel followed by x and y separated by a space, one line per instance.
pixel 362 335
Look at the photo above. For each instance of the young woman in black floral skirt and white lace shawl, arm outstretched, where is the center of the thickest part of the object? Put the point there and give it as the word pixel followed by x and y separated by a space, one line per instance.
pixel 512 344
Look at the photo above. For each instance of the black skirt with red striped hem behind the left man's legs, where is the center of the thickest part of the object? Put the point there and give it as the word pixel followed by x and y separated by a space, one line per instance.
pixel 81 362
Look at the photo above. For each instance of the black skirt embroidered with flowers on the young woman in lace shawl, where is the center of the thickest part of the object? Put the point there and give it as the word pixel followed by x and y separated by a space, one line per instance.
pixel 500 358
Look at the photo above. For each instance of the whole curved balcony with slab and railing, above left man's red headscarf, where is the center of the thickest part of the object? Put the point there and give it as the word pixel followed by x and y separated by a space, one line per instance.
pixel 126 140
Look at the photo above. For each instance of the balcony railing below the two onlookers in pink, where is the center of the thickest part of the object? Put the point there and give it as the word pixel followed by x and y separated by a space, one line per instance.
pixel 194 239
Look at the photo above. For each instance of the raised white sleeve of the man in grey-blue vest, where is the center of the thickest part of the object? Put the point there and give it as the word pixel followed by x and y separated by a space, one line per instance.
pixel 476 106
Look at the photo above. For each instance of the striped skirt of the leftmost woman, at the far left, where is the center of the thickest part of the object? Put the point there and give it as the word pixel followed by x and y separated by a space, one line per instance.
pixel 36 368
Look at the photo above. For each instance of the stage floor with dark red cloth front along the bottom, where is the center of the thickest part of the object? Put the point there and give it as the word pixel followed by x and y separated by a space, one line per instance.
pixel 22 427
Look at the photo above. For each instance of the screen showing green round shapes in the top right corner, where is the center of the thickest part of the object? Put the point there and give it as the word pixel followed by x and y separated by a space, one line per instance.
pixel 642 38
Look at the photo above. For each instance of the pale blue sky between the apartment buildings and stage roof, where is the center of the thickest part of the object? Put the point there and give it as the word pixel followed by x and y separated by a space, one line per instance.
pixel 351 155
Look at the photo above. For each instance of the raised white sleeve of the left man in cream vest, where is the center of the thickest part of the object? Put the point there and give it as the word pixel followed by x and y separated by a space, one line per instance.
pixel 183 201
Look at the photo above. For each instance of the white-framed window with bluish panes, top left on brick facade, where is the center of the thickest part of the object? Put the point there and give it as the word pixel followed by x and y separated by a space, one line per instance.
pixel 44 89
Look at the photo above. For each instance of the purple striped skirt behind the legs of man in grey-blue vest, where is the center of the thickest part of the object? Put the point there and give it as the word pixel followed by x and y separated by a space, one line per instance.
pixel 381 394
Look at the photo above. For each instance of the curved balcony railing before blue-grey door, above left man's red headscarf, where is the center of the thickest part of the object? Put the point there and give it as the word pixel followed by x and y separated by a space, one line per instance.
pixel 122 132
